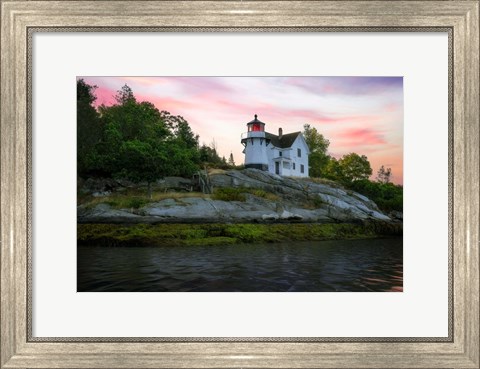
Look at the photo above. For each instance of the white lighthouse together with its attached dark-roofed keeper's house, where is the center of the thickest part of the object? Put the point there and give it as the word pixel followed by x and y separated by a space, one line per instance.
pixel 283 154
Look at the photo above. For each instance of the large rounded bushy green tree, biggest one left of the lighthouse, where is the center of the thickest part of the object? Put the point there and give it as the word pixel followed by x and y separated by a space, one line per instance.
pixel 143 144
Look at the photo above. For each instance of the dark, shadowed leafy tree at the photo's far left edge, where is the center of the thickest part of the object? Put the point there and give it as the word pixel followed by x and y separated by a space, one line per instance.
pixel 89 126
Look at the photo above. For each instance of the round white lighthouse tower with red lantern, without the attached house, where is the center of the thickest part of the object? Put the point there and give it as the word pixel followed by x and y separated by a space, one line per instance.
pixel 255 145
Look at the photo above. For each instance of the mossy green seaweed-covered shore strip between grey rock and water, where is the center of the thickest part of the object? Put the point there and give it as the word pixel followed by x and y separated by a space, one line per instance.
pixel 209 234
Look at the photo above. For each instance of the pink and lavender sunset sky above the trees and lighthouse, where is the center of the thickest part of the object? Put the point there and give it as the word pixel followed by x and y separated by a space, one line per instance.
pixel 356 114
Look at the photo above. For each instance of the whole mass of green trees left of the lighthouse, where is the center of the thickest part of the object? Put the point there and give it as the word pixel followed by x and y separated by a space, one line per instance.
pixel 136 141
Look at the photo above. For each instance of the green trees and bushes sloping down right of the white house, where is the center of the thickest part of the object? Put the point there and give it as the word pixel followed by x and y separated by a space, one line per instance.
pixel 353 171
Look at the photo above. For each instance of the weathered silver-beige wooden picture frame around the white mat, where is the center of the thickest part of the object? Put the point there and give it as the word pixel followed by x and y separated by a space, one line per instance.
pixel 20 19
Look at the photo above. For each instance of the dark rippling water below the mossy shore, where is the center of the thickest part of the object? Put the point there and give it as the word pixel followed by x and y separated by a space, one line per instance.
pixel 354 265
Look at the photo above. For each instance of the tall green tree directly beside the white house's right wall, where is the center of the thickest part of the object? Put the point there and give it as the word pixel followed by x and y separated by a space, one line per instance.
pixel 318 146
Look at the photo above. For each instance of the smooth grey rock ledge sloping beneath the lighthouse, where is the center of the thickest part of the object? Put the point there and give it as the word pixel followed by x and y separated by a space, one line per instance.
pixel 290 200
